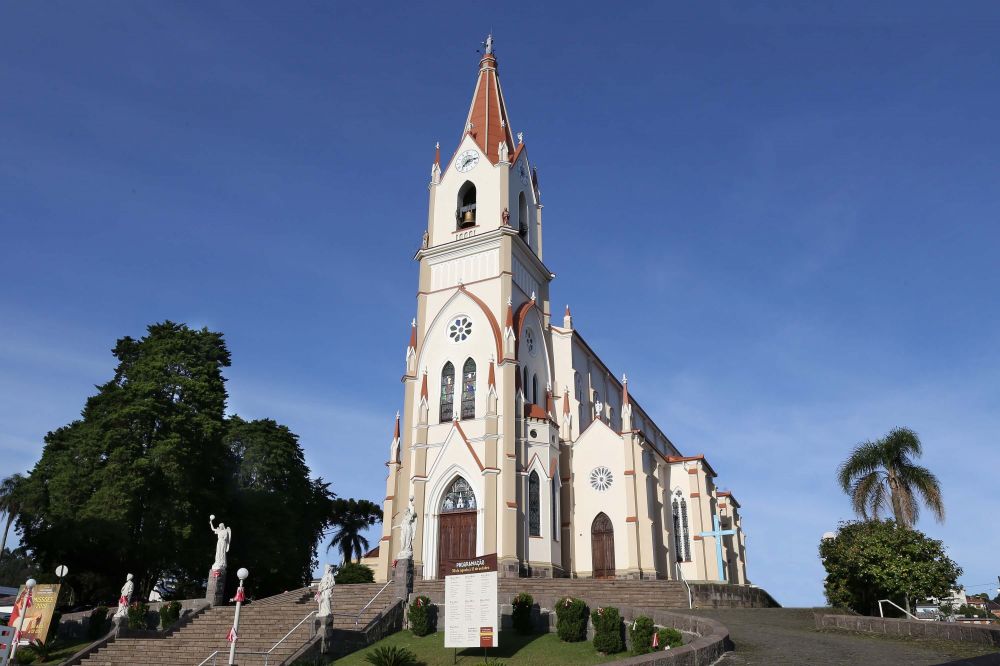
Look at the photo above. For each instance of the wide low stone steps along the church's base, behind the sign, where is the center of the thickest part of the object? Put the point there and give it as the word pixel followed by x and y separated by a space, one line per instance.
pixel 546 591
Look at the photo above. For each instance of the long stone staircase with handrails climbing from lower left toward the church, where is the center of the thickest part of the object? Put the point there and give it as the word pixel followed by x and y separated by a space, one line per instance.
pixel 262 624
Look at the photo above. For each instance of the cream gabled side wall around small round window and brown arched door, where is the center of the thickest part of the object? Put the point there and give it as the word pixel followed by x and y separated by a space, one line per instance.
pixel 598 446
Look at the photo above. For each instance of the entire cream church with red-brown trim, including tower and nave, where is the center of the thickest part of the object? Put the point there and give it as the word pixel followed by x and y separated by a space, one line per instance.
pixel 514 437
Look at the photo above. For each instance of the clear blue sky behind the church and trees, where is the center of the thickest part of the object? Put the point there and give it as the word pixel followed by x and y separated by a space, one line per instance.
pixel 780 221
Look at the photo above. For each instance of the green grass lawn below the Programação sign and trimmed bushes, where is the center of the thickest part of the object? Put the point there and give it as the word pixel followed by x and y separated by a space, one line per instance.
pixel 515 650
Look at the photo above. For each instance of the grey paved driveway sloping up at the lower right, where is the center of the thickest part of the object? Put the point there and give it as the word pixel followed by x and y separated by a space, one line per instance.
pixel 788 636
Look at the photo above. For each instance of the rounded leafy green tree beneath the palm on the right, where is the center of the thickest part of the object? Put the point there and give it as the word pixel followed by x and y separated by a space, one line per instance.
pixel 872 560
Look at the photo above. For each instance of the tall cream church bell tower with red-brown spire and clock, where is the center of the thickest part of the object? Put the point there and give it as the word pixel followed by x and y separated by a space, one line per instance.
pixel 478 436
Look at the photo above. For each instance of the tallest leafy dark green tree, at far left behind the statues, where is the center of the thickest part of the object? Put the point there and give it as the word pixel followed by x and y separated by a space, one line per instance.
pixel 126 487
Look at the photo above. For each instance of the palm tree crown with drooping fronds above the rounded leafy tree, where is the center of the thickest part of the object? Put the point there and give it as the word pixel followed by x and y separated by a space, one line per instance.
pixel 881 475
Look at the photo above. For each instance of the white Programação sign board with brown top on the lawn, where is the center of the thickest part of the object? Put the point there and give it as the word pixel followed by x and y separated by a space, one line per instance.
pixel 470 601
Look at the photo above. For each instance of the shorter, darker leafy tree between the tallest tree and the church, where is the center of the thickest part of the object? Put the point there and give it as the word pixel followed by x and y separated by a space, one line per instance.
pixel 279 512
